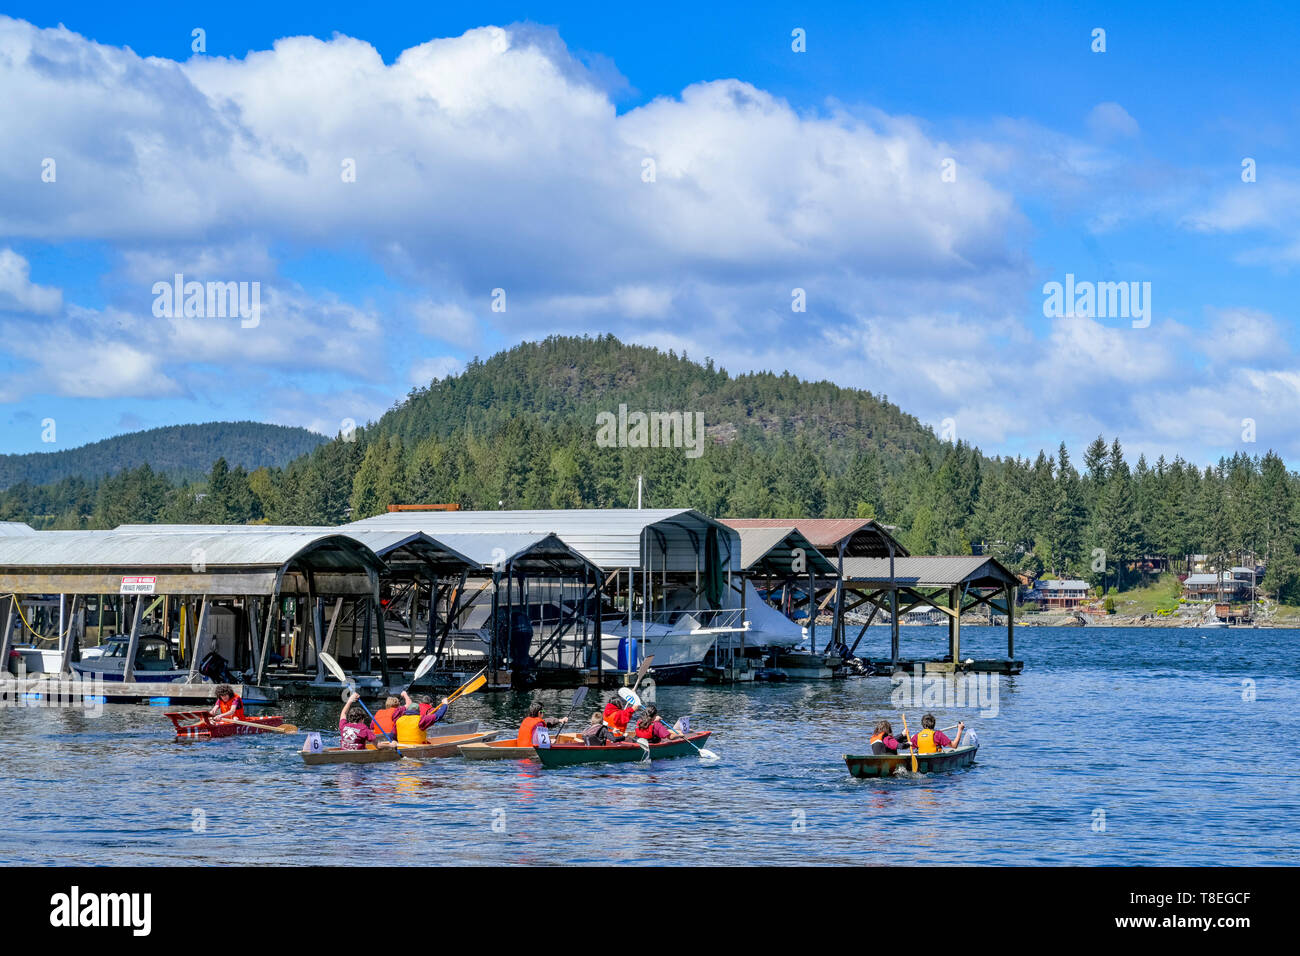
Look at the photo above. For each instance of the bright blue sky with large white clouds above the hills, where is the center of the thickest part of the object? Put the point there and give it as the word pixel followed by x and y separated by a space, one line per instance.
pixel 502 146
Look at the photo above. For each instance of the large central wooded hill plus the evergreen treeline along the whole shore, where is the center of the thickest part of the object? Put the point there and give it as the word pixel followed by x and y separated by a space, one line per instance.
pixel 521 431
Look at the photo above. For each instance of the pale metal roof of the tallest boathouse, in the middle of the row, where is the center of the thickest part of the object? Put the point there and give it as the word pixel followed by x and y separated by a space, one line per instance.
pixel 608 538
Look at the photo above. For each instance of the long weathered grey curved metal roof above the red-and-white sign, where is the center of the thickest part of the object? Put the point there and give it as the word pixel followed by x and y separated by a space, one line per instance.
pixel 210 547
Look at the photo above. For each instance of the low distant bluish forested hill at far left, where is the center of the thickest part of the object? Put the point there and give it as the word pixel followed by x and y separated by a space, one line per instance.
pixel 181 452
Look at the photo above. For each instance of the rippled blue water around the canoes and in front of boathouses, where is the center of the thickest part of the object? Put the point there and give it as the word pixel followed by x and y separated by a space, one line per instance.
pixel 1147 725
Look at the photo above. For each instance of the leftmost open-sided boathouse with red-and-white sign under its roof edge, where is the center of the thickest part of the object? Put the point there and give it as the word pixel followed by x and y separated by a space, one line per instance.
pixel 267 586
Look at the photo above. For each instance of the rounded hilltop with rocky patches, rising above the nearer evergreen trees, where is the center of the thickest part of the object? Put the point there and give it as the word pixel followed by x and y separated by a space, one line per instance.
pixel 571 380
